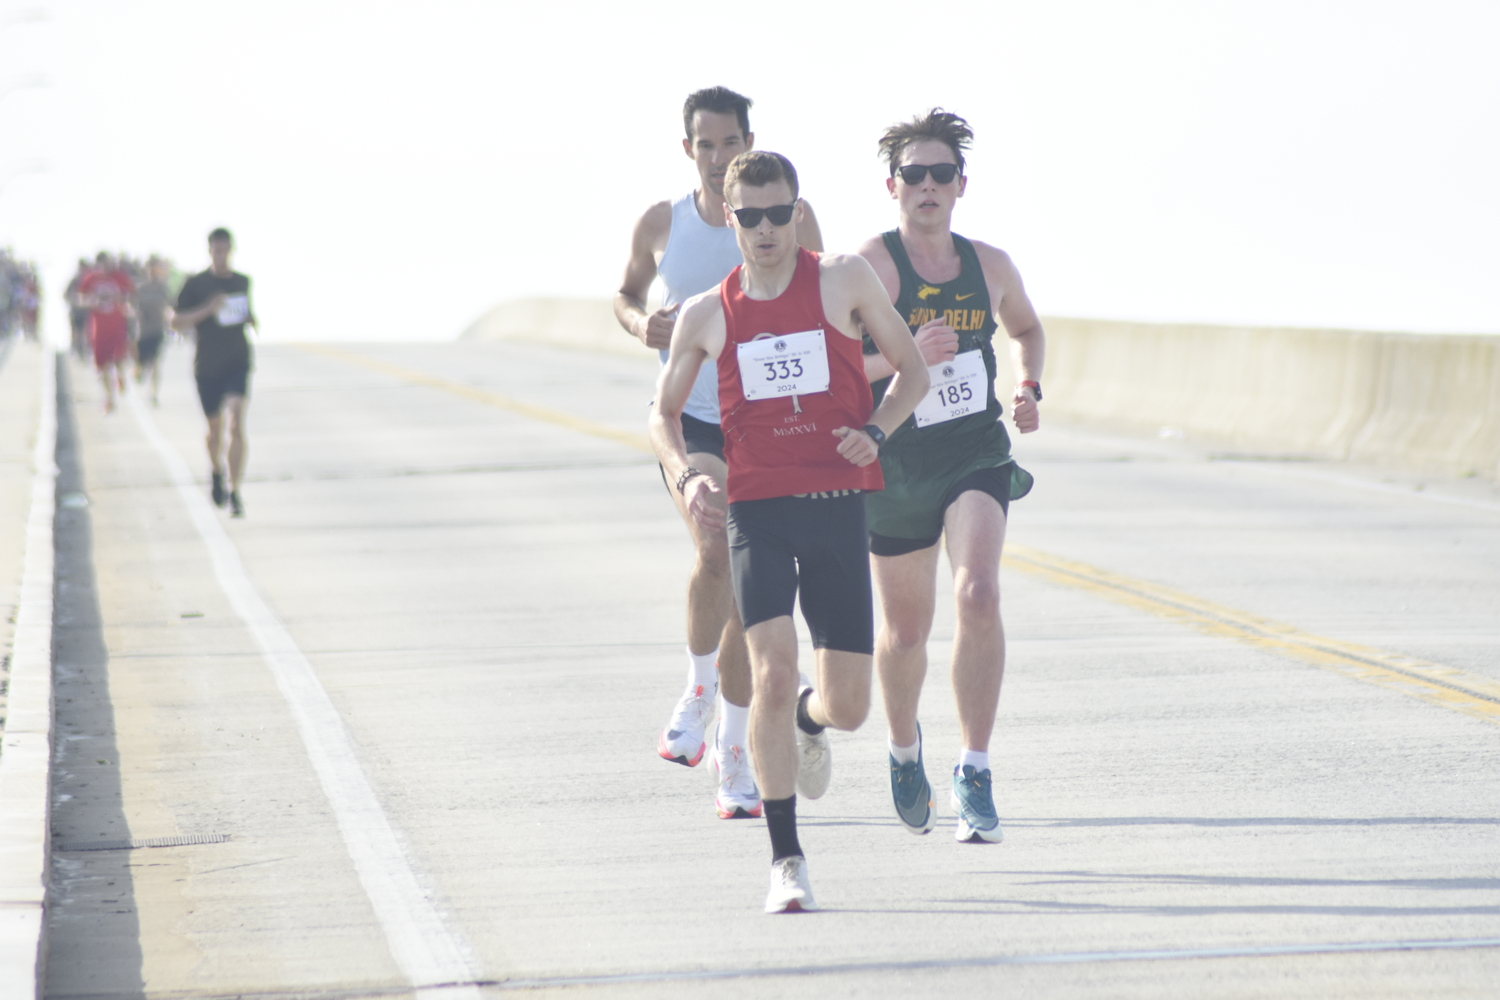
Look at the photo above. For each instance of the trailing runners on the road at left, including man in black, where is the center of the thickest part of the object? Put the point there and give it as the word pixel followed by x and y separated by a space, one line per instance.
pixel 109 304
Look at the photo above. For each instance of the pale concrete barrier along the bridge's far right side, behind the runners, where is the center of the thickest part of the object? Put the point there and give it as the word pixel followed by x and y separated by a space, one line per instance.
pixel 1417 401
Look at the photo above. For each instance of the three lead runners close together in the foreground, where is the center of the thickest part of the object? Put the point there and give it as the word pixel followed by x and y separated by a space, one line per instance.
pixel 823 424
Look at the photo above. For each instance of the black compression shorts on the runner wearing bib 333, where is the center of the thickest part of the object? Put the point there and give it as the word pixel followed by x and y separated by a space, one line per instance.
pixel 815 545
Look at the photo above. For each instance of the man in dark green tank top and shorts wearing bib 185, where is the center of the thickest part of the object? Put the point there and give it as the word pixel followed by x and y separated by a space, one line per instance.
pixel 949 469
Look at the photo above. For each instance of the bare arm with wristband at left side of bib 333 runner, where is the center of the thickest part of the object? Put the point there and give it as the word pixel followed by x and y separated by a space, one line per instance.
pixel 697 338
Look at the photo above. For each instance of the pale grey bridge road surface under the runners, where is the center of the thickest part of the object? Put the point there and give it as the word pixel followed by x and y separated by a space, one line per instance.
pixel 395 731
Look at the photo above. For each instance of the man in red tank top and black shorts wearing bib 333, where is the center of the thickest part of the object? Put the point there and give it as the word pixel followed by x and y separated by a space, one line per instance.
pixel 802 446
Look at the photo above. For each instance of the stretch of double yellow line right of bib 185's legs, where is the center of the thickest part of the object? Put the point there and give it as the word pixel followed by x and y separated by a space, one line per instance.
pixel 1417 678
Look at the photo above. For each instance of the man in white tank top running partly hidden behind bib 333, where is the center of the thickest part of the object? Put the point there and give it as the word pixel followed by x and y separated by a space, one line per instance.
pixel 691 248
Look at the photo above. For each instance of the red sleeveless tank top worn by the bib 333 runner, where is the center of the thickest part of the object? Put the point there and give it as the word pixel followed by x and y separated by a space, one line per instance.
pixel 785 446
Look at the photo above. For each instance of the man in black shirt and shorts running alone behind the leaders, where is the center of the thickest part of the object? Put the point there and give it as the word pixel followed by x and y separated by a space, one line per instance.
pixel 217 304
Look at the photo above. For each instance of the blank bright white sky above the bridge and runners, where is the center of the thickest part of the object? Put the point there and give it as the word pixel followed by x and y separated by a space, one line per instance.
pixel 392 172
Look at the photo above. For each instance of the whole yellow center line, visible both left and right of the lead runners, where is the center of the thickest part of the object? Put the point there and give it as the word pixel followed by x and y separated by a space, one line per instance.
pixel 1415 678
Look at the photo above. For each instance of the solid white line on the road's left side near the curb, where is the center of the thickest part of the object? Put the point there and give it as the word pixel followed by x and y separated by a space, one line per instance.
pixel 427 951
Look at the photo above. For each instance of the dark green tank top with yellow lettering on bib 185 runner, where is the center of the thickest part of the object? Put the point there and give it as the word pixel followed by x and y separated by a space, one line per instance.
pixel 965 304
